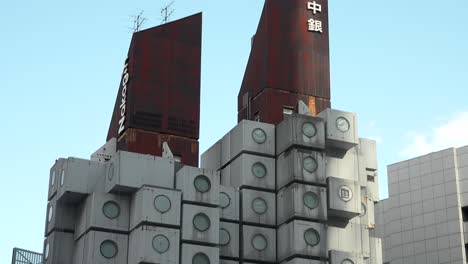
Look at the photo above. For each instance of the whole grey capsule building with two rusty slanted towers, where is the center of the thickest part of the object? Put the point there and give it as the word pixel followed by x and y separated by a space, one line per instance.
pixel 291 183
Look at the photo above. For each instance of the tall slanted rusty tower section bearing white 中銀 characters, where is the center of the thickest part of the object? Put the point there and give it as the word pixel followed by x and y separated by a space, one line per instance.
pixel 287 57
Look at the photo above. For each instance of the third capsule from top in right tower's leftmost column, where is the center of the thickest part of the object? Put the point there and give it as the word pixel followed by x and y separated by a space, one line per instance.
pixel 258 207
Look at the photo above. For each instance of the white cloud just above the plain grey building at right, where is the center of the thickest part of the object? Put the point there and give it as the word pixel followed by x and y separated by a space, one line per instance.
pixel 453 133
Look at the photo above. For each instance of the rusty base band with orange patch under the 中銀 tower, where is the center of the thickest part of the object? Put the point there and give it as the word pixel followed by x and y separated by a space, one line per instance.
pixel 269 104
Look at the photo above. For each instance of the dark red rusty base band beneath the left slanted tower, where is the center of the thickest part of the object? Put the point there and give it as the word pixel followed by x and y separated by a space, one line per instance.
pixel 147 142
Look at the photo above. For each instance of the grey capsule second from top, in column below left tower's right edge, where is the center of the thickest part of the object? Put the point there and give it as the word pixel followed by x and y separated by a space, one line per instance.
pixel 200 224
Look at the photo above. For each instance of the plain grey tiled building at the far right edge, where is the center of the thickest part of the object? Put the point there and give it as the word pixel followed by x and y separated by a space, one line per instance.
pixel 422 221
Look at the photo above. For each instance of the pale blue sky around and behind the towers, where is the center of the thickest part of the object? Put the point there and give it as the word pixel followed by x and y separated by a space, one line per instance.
pixel 401 65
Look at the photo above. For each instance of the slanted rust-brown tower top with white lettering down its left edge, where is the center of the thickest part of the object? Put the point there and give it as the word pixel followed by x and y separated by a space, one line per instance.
pixel 160 88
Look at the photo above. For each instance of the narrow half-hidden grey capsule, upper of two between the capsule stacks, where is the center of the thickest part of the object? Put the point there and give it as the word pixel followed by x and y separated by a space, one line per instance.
pixel 229 203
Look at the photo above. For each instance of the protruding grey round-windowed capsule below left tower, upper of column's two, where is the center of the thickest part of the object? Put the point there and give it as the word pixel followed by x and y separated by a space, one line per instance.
pixel 155 206
